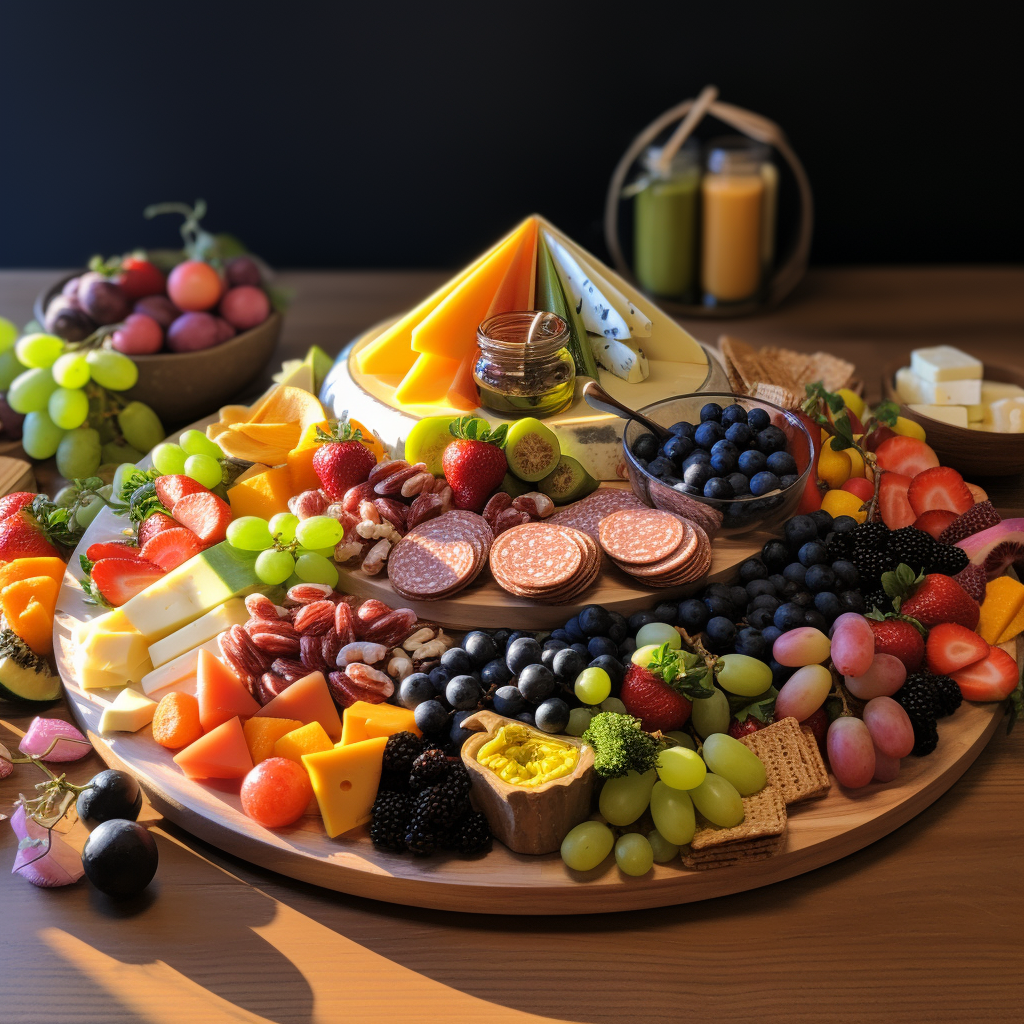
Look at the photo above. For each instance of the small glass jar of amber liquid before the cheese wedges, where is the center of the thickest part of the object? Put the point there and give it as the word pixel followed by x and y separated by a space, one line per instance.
pixel 524 367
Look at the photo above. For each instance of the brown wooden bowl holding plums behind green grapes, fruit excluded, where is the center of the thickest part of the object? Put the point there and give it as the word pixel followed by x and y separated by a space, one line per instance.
pixel 182 388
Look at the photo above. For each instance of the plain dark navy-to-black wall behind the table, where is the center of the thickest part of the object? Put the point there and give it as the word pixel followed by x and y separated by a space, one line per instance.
pixel 373 136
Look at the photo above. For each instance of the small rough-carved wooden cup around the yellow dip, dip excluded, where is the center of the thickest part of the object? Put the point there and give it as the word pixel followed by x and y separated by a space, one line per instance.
pixel 528 820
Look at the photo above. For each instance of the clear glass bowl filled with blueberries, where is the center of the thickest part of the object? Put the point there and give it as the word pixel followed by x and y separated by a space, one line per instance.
pixel 737 463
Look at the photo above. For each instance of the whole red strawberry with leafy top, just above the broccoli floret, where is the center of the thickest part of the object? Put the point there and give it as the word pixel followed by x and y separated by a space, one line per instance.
pixel 659 693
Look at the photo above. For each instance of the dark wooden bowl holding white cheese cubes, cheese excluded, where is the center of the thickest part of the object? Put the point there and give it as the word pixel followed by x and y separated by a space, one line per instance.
pixel 973 453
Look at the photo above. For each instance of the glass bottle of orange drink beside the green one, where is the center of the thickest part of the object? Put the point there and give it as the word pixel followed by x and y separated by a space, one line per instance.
pixel 734 208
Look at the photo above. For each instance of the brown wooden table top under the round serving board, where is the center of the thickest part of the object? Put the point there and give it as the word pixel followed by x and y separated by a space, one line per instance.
pixel 923 926
